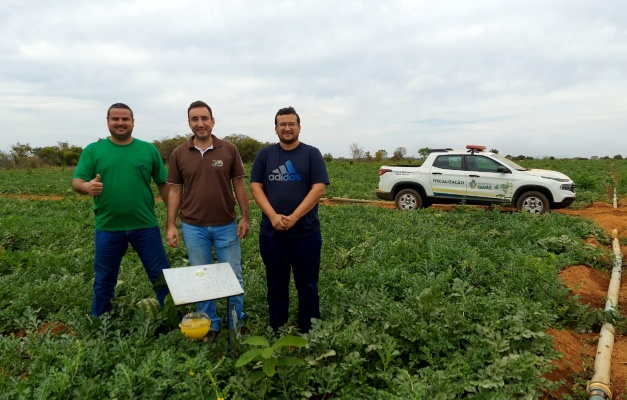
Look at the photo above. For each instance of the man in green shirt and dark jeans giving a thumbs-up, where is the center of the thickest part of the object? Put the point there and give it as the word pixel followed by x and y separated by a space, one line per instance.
pixel 117 172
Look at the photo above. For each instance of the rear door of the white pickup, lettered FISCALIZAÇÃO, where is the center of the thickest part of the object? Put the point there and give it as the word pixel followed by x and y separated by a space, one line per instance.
pixel 448 177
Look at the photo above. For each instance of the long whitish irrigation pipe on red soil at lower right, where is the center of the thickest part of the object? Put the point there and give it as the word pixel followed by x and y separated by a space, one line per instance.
pixel 599 385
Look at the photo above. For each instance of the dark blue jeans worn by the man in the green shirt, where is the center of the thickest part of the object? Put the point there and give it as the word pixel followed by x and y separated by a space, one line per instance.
pixel 111 247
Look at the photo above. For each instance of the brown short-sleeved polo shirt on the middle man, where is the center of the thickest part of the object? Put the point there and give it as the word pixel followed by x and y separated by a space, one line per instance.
pixel 207 198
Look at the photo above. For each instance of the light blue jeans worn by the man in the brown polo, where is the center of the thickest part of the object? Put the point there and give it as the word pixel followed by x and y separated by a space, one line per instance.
pixel 199 241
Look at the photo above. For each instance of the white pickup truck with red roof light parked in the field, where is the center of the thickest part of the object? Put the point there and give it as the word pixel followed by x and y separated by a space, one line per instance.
pixel 474 176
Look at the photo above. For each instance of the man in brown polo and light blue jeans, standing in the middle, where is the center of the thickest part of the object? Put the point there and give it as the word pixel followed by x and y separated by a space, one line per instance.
pixel 203 173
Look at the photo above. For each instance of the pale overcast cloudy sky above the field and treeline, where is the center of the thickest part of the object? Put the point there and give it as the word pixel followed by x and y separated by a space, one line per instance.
pixel 536 77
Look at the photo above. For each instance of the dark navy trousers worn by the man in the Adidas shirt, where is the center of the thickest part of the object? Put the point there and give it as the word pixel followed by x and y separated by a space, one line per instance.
pixel 300 255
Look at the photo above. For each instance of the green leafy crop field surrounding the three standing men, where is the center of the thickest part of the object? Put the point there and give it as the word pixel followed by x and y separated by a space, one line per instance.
pixel 427 304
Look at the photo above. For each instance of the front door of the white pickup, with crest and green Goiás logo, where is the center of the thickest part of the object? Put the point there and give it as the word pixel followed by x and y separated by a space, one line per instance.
pixel 484 182
